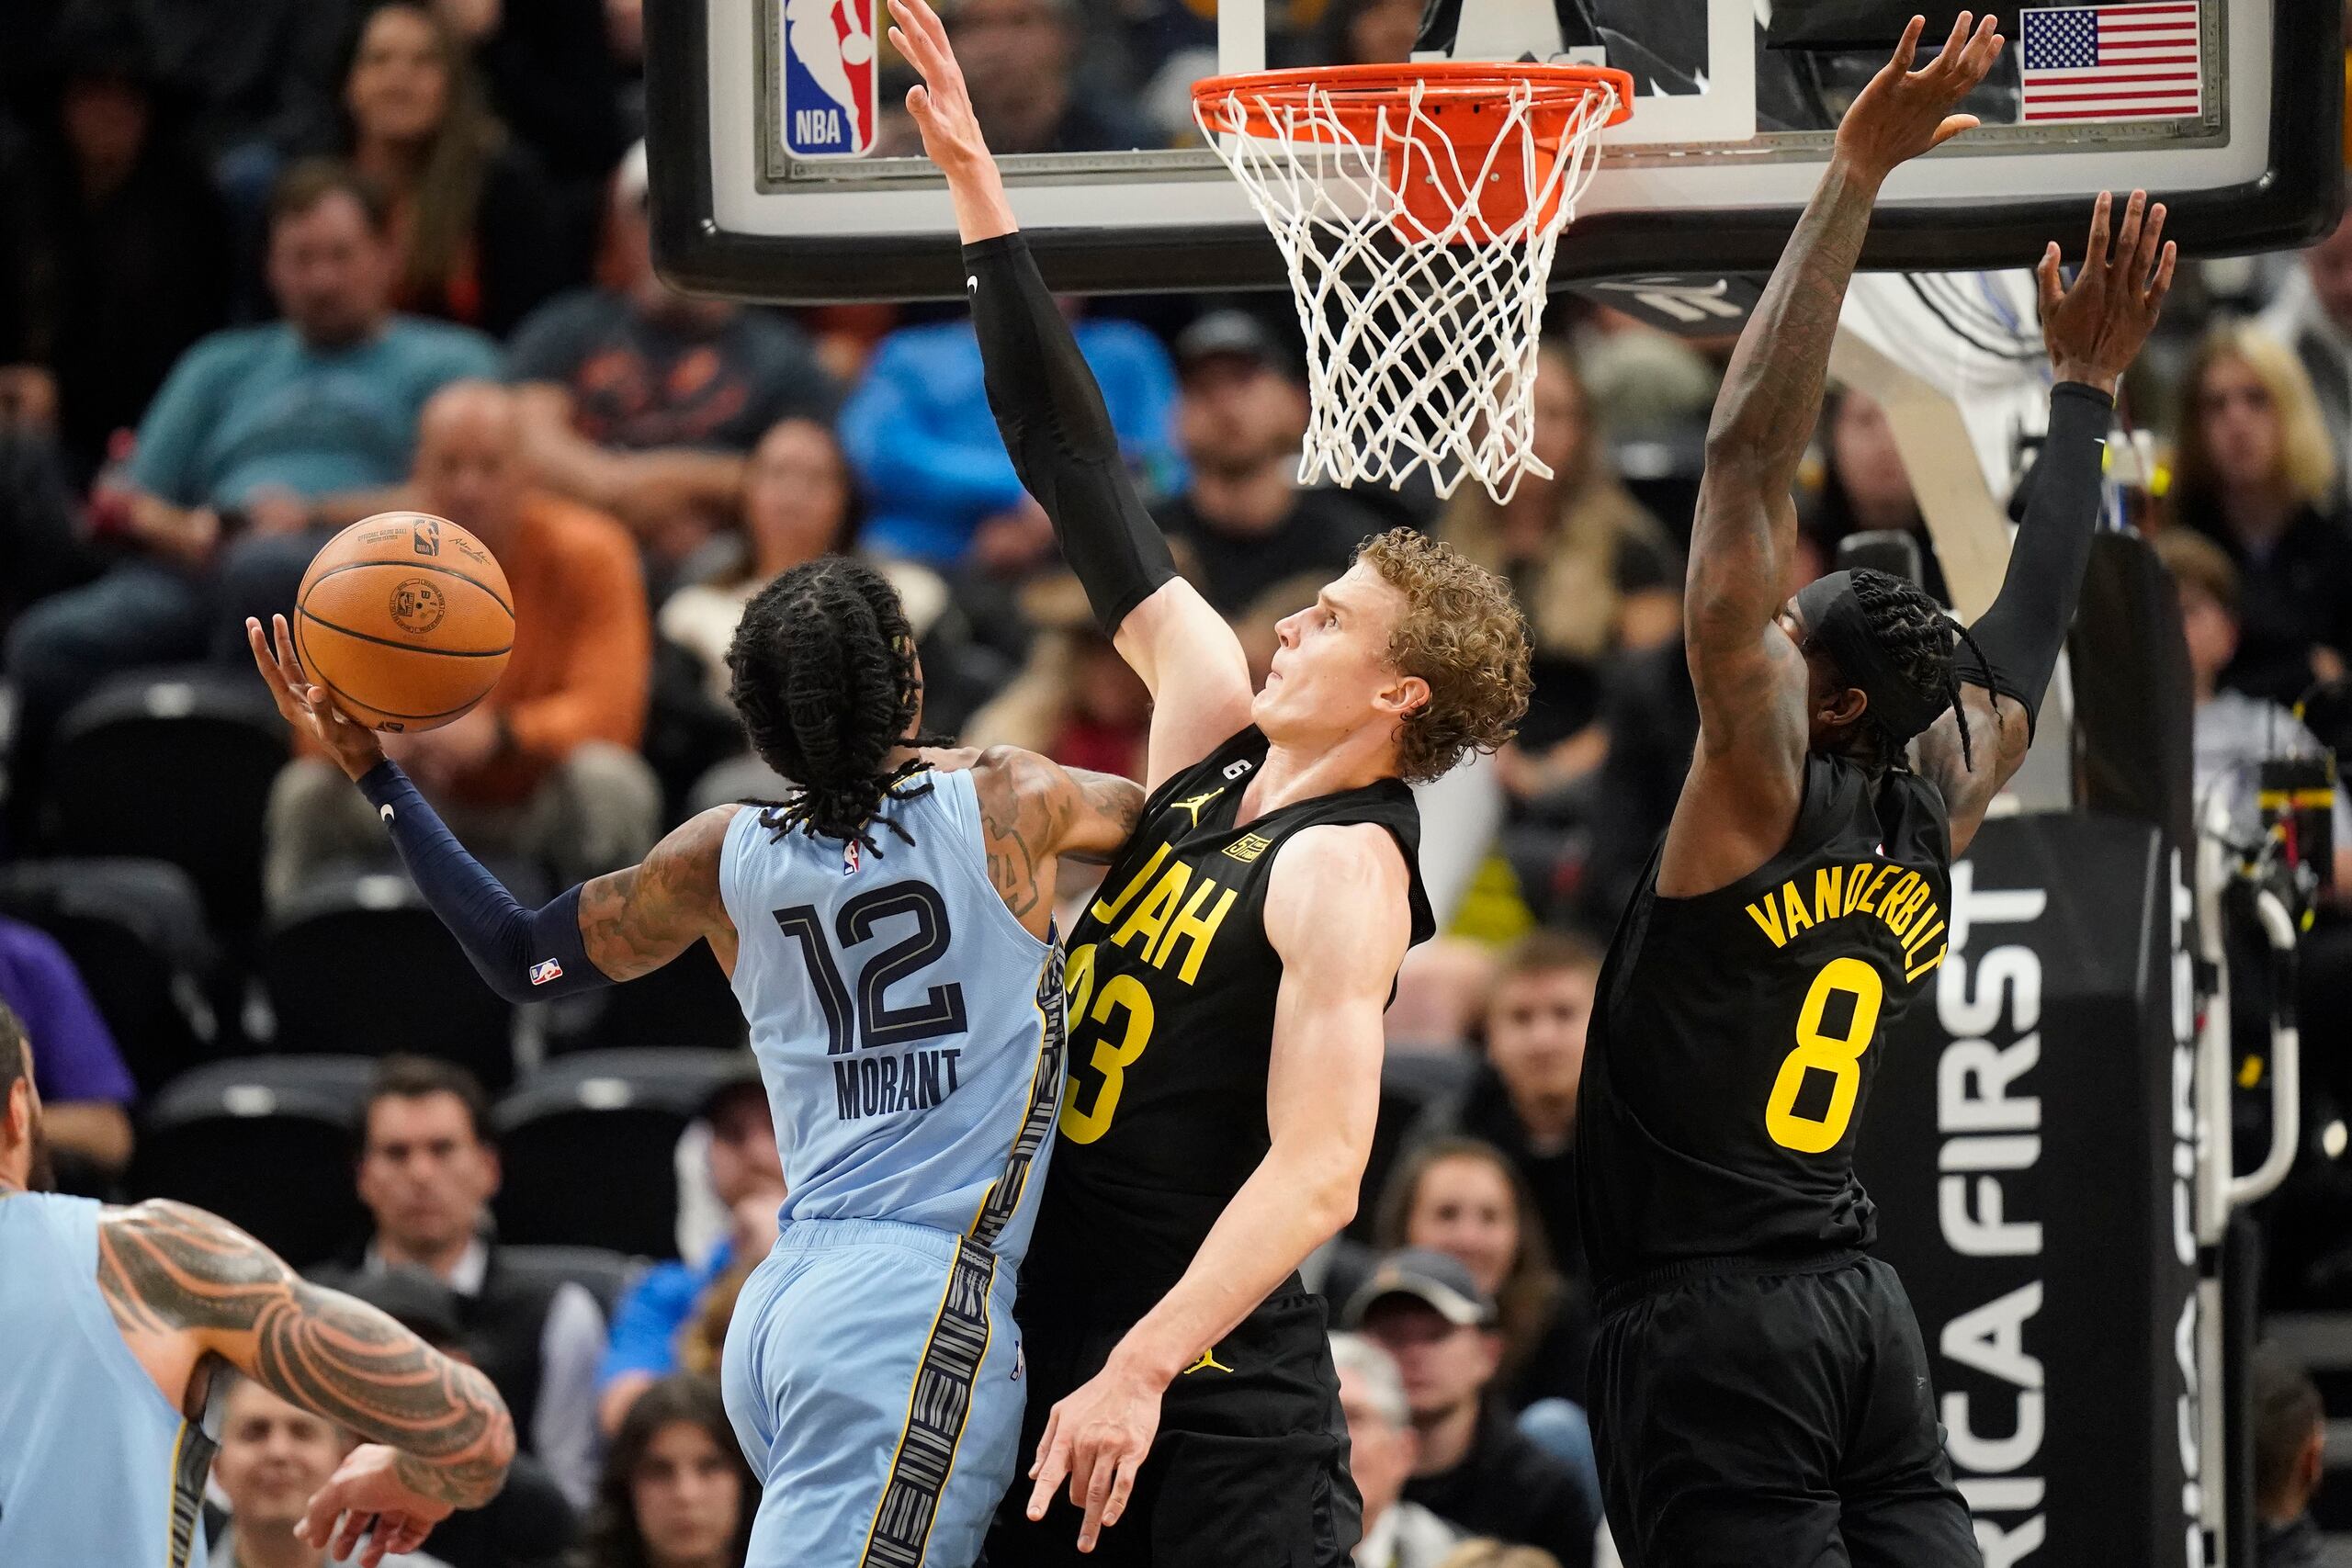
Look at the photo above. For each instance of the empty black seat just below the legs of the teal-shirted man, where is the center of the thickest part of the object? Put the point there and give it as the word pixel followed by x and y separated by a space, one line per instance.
pixel 173 768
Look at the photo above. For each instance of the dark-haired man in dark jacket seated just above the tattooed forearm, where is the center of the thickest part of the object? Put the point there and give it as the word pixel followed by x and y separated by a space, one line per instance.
pixel 427 1177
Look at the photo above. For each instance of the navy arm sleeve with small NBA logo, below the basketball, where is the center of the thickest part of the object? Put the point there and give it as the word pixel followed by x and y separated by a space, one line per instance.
pixel 526 956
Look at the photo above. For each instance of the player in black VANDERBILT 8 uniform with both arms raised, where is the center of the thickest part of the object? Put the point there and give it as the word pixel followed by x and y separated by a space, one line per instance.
pixel 1758 1379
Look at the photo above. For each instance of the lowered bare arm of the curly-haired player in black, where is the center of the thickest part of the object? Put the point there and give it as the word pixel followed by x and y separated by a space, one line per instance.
pixel 1337 913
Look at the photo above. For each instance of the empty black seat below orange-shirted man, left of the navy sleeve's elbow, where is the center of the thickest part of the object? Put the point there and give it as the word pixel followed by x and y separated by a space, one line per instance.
pixel 359 965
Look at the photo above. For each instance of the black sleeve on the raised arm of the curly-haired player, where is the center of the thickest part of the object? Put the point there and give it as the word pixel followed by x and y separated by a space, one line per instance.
pixel 1060 434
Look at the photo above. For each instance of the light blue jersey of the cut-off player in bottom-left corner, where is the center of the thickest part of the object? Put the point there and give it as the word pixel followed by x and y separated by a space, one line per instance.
pixel 95 1466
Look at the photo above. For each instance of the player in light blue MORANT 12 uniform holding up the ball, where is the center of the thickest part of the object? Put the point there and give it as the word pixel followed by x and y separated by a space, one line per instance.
pixel 888 932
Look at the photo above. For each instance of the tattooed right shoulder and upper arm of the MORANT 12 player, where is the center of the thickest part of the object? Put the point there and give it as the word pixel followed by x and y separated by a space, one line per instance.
pixel 1036 812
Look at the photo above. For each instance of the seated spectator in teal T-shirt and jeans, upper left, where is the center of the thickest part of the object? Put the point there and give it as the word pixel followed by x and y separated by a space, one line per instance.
pixel 253 431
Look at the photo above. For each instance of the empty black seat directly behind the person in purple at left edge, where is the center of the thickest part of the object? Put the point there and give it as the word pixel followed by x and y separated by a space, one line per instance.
pixel 135 930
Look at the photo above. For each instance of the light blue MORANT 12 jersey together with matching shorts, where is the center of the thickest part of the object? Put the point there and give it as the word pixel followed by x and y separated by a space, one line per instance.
pixel 911 1038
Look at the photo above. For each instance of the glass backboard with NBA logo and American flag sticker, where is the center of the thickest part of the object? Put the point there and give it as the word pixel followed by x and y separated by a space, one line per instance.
pixel 787 170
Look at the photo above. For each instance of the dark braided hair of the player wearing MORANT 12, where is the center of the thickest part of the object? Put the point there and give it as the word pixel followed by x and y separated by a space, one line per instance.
pixel 822 674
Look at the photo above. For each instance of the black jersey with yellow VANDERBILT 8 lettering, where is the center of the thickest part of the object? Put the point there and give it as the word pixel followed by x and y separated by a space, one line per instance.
pixel 1737 1036
